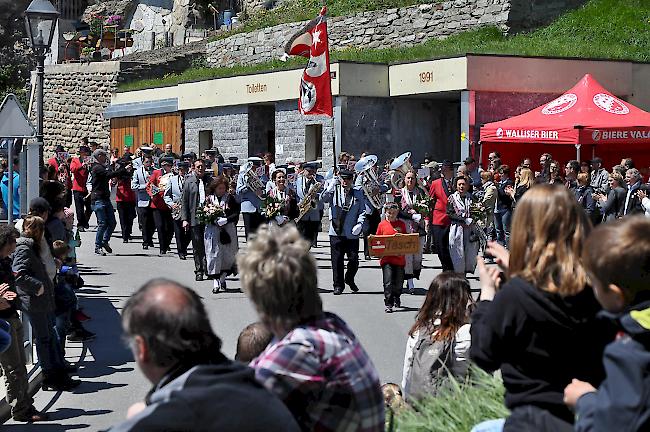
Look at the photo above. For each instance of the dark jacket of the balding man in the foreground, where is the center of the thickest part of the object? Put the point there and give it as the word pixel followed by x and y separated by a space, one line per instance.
pixel 222 397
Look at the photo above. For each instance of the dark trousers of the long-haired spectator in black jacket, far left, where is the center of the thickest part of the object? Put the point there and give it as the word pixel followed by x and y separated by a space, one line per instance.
pixel 49 351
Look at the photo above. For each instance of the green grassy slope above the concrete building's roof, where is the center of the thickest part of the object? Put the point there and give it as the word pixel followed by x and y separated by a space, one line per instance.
pixel 610 29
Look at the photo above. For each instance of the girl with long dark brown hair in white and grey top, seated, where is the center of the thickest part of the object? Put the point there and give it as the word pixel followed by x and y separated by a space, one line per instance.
pixel 439 341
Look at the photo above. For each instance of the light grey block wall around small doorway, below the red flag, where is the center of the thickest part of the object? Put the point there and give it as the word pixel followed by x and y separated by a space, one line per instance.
pixel 290 133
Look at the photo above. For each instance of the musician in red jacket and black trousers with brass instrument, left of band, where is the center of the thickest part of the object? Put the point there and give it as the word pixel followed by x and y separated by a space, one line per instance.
pixel 162 214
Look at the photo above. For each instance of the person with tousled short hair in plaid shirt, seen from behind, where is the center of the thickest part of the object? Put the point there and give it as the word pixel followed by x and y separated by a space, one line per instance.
pixel 315 364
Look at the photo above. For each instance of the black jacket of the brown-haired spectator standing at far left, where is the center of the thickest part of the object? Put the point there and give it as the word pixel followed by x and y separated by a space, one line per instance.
pixel 30 276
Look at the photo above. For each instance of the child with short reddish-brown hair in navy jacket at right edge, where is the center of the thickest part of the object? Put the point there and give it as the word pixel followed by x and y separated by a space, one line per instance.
pixel 617 260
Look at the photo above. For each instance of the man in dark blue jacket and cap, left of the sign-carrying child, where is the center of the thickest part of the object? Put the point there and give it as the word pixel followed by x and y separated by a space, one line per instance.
pixel 347 213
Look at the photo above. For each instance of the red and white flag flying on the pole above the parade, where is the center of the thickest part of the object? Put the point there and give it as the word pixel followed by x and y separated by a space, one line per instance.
pixel 315 84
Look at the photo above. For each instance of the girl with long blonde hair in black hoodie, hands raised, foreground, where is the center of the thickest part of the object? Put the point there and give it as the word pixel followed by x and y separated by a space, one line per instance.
pixel 540 329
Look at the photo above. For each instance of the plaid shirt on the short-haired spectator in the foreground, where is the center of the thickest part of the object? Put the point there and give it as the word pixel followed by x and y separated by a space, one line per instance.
pixel 324 376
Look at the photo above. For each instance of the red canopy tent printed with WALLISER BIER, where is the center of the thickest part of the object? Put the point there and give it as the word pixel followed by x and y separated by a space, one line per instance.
pixel 587 120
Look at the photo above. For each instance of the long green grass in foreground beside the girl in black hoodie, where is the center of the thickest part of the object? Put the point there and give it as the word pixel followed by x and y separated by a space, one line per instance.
pixel 456 408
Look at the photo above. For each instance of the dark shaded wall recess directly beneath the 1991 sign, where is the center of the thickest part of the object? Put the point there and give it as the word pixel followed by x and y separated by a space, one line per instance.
pixel 389 127
